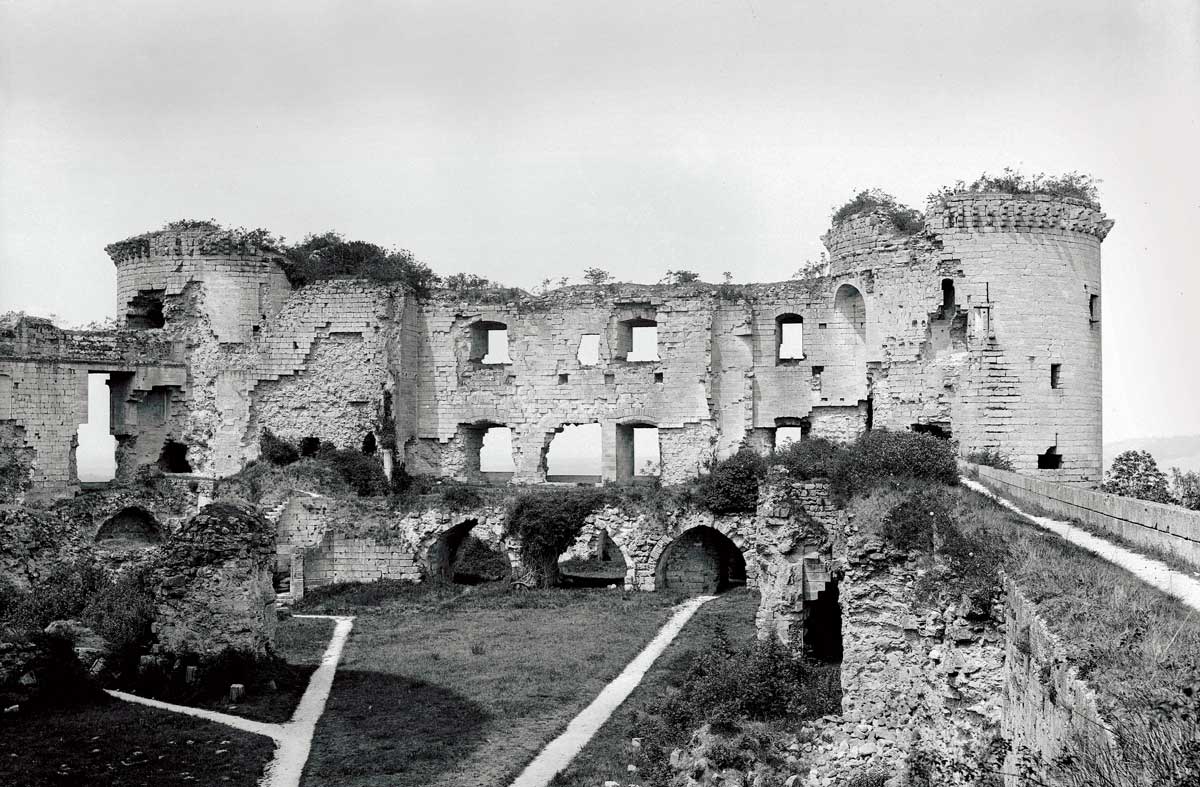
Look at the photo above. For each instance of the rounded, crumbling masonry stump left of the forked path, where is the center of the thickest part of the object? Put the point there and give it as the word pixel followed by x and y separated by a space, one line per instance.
pixel 215 590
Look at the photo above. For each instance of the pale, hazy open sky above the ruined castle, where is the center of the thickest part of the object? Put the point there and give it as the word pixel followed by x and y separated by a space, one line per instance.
pixel 536 140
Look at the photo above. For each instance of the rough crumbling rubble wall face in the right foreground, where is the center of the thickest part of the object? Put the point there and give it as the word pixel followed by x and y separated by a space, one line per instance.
pixel 914 675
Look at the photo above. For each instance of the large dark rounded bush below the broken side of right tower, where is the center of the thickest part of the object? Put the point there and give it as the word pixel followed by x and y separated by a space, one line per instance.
pixel 884 458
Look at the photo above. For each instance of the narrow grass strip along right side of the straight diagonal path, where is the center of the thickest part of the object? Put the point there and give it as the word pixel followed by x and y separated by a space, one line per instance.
pixel 607 756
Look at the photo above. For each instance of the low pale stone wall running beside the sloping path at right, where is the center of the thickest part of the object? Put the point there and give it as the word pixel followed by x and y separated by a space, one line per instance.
pixel 1166 527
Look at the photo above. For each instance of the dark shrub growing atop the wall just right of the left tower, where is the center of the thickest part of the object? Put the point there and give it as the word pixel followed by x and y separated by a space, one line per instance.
pixel 331 256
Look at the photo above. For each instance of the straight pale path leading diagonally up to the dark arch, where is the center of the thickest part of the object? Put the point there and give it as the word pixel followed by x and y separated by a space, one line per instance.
pixel 562 750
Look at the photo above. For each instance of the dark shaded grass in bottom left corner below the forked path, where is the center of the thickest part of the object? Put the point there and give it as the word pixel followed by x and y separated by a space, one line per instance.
pixel 122 744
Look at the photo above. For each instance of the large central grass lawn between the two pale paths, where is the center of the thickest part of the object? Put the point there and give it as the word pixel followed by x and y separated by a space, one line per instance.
pixel 441 688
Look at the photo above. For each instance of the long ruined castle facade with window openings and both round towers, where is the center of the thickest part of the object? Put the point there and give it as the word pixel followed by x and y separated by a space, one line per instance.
pixel 986 327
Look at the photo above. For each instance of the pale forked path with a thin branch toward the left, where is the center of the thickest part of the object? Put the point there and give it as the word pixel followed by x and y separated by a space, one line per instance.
pixel 295 738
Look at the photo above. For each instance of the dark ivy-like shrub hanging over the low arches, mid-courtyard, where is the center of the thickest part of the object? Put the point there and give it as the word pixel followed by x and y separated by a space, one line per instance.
pixel 547 524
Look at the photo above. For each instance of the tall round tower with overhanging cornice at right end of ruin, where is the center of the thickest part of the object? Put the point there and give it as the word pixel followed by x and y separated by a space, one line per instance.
pixel 1027 271
